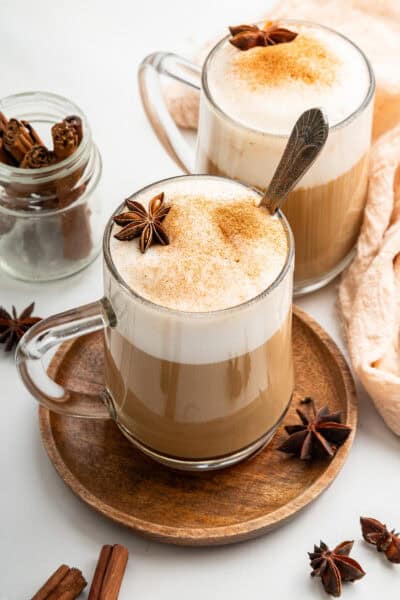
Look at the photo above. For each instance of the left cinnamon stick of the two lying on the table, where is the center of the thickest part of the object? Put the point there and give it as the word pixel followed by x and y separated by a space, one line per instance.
pixel 63 584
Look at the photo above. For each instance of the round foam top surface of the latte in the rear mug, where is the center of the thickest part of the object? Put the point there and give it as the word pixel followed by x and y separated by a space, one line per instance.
pixel 267 88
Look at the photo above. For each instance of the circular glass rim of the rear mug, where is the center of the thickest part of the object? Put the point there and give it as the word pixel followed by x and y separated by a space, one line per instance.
pixel 365 102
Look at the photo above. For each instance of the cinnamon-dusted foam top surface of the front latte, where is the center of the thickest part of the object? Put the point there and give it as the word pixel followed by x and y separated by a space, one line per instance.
pixel 223 249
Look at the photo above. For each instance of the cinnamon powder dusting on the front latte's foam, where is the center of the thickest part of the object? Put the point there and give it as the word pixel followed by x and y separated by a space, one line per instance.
pixel 213 247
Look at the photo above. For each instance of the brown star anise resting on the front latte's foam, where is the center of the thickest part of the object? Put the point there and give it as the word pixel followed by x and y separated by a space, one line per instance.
pixel 138 221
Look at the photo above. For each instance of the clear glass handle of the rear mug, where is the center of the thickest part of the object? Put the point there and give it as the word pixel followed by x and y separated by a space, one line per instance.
pixel 182 70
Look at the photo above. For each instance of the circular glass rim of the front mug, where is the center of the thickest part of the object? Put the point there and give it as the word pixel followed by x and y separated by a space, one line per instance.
pixel 289 260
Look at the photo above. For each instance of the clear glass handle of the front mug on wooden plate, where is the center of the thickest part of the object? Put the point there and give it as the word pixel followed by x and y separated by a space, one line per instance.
pixel 49 333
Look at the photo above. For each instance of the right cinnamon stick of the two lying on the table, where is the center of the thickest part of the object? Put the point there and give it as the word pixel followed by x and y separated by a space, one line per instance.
pixel 109 573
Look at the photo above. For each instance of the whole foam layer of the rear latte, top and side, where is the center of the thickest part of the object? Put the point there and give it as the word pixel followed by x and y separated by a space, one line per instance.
pixel 250 146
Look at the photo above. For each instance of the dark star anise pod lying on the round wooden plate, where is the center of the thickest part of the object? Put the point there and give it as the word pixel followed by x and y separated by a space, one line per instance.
pixel 318 435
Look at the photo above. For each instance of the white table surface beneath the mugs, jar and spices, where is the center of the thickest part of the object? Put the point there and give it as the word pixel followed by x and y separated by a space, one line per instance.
pixel 88 51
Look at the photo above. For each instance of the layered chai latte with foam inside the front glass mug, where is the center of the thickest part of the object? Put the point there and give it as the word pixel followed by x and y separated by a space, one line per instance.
pixel 199 365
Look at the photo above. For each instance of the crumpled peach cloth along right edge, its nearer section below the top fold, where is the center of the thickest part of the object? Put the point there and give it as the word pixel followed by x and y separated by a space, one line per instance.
pixel 369 294
